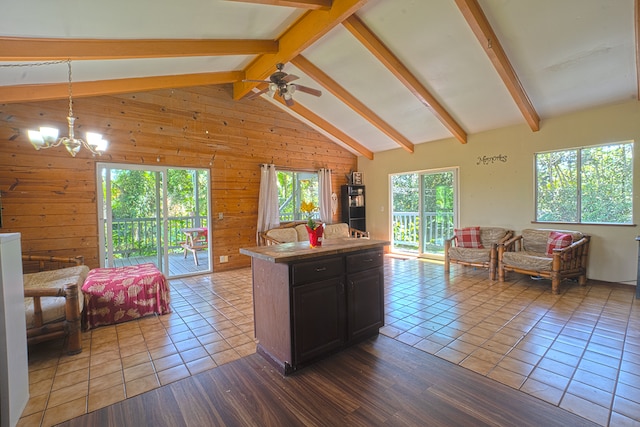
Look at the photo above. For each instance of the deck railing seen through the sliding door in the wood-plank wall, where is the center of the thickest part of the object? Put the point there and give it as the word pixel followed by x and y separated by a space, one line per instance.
pixel 139 236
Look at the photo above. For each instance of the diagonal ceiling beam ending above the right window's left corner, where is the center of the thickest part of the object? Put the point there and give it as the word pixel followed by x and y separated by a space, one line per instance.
pixel 481 27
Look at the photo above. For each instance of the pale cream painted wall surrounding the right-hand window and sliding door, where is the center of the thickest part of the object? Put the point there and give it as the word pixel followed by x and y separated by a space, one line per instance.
pixel 502 193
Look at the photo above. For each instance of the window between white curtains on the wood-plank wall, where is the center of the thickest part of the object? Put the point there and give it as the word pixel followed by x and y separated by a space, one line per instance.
pixel 295 187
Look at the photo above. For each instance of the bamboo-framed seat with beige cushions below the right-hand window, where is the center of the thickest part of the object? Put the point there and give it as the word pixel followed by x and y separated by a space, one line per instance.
pixel 528 254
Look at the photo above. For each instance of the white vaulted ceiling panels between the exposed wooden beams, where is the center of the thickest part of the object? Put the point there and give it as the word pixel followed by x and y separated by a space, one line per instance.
pixel 568 55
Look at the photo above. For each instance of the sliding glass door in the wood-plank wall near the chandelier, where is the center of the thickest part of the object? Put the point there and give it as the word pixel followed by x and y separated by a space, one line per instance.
pixel 154 214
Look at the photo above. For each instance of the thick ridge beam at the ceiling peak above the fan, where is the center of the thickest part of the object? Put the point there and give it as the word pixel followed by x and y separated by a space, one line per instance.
pixel 306 31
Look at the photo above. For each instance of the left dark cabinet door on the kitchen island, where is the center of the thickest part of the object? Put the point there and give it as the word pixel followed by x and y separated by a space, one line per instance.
pixel 318 318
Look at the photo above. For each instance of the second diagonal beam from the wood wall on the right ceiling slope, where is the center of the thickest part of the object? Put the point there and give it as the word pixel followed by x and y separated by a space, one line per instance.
pixel 356 105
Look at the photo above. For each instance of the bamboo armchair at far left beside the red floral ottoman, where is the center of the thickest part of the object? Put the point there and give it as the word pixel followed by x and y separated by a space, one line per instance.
pixel 53 299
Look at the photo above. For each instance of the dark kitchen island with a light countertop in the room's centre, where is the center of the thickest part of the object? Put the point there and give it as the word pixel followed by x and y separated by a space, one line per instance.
pixel 311 302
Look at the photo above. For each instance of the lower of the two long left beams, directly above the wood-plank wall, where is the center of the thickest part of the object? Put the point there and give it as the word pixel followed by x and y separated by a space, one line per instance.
pixel 45 92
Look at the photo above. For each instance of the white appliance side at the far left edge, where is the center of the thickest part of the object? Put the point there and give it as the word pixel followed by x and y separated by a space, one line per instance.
pixel 14 368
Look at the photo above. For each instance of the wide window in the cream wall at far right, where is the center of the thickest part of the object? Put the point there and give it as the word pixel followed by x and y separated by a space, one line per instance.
pixel 586 185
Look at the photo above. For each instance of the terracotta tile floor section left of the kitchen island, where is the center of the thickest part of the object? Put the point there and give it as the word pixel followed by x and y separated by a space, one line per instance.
pixel 211 324
